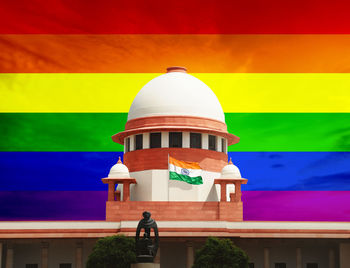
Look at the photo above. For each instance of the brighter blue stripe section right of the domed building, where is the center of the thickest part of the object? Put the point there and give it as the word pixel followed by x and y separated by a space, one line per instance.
pixel 294 171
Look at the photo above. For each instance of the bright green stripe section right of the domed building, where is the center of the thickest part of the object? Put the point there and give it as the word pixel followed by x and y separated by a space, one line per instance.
pixel 299 132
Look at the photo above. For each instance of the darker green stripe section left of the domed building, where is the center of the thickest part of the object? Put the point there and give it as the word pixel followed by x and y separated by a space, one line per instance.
pixel 60 131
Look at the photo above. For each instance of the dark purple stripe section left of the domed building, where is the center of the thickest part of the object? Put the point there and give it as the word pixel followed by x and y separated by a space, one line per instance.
pixel 52 205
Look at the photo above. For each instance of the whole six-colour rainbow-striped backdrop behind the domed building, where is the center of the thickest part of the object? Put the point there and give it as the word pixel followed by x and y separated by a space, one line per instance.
pixel 70 70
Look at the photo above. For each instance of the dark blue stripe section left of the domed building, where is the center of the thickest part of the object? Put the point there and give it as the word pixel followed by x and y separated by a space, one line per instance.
pixel 55 171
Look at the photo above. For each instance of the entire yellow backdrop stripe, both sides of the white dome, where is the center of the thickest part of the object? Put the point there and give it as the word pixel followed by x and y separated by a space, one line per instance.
pixel 115 92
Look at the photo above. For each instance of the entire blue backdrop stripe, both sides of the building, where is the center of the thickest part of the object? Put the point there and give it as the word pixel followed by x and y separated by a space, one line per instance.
pixel 82 171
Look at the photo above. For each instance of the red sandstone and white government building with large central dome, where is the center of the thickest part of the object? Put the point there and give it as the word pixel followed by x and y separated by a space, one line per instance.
pixel 176 115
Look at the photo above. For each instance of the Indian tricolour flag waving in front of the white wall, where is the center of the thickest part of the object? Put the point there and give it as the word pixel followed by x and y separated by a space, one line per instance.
pixel 189 172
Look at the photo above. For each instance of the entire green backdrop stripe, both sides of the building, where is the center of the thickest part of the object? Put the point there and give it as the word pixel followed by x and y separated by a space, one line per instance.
pixel 259 132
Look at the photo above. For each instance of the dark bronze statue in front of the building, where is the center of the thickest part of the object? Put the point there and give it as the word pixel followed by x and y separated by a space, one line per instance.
pixel 146 248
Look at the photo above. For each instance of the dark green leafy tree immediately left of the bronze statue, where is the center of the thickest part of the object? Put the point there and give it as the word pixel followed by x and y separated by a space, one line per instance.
pixel 112 252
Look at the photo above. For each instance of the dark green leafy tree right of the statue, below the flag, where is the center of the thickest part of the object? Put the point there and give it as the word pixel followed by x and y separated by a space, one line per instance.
pixel 220 253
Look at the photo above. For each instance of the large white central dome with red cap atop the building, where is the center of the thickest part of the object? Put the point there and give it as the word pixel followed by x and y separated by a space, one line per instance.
pixel 176 93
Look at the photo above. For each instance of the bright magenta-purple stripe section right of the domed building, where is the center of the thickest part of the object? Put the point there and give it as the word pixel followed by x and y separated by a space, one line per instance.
pixel 296 205
